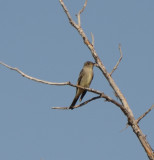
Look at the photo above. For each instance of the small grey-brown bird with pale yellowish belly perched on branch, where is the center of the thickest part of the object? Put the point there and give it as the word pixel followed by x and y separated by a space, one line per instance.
pixel 84 80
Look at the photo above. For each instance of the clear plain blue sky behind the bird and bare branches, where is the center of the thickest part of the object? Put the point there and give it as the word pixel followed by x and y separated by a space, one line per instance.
pixel 35 36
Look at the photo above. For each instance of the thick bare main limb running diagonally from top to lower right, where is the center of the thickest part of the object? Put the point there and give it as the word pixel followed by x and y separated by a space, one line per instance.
pixel 125 109
